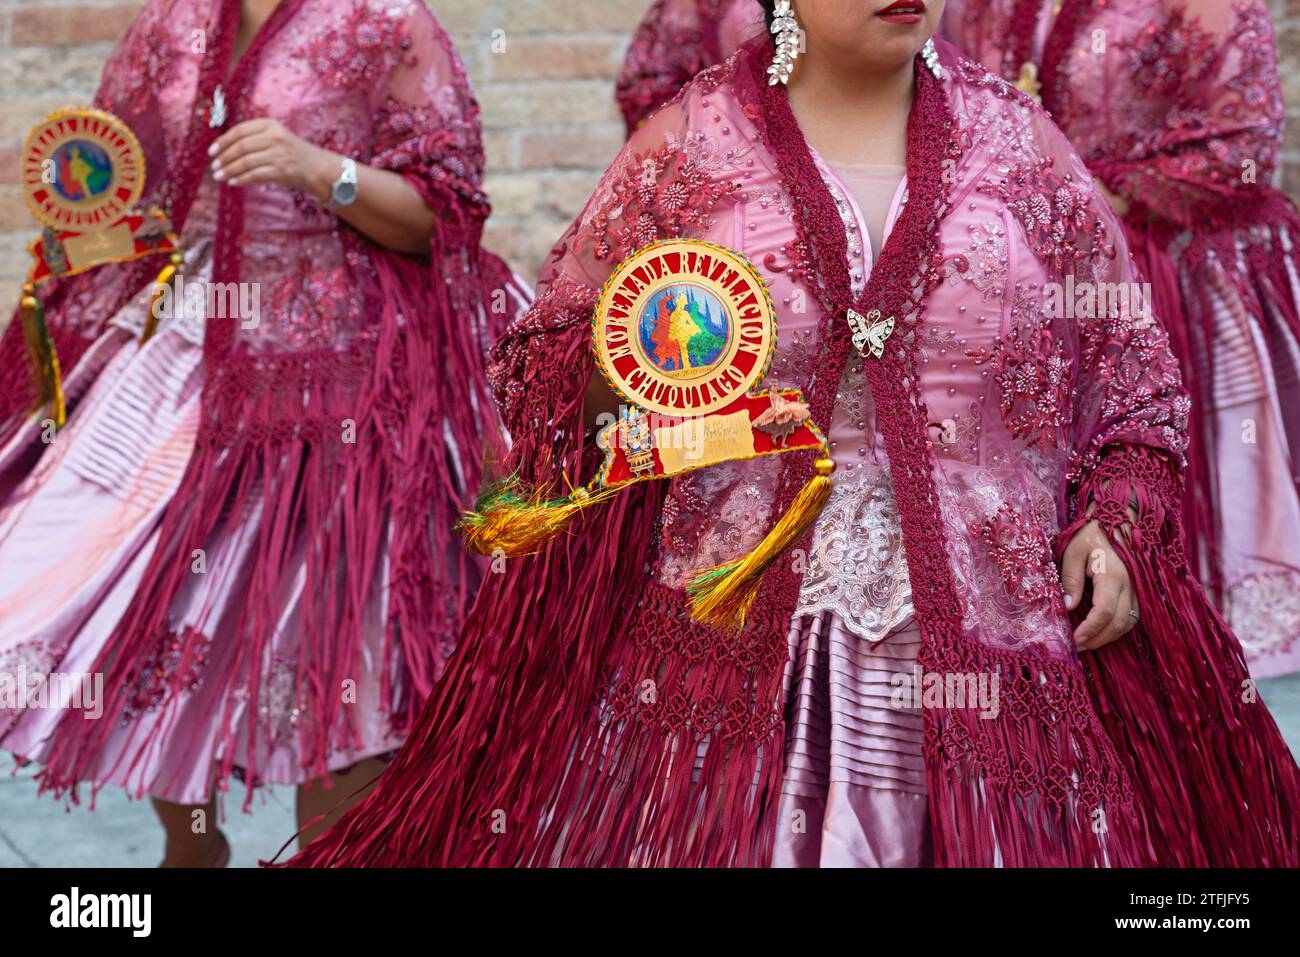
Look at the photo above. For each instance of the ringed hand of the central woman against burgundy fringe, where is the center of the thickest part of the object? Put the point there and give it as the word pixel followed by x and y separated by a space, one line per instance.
pixel 1091 557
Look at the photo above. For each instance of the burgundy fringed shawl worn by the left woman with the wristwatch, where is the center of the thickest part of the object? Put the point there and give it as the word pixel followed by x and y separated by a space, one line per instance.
pixel 354 415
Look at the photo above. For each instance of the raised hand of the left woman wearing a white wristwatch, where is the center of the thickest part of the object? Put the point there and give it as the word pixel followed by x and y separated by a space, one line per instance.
pixel 263 151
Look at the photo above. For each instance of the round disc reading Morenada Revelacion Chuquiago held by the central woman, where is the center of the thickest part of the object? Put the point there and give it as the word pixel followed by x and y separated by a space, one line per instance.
pixel 684 328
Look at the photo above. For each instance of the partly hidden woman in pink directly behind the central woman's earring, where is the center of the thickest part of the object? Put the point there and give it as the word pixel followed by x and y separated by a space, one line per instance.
pixel 674 42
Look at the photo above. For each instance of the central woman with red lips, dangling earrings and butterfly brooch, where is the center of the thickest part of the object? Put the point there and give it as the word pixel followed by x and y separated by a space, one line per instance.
pixel 918 683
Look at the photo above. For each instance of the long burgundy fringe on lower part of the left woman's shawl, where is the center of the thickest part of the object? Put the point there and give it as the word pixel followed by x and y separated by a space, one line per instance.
pixel 300 492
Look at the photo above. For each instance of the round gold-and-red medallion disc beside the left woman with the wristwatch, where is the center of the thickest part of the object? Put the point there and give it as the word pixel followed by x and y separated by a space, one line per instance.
pixel 83 171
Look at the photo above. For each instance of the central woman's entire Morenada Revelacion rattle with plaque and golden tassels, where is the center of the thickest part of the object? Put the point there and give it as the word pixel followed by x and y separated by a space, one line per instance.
pixel 684 334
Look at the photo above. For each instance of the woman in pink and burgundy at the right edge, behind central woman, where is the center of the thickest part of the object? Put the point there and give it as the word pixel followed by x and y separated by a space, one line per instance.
pixel 1176 106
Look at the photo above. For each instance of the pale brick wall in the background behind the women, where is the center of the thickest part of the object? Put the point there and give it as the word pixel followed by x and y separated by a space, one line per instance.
pixel 549 114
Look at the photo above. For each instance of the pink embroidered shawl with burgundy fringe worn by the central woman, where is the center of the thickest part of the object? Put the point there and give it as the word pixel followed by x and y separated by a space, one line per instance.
pixel 586 713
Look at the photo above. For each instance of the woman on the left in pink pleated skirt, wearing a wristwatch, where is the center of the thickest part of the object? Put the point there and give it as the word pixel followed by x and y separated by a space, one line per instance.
pixel 246 526
